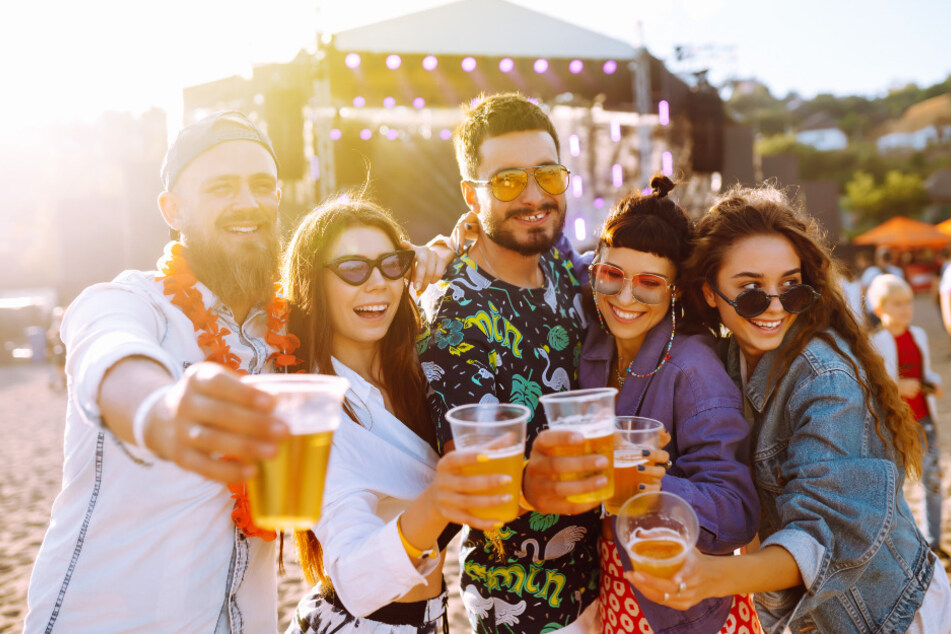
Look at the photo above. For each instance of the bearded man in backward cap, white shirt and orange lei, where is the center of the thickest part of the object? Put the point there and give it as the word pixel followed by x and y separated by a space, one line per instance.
pixel 143 535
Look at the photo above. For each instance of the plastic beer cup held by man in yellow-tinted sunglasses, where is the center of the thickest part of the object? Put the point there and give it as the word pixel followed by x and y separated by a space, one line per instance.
pixel 591 413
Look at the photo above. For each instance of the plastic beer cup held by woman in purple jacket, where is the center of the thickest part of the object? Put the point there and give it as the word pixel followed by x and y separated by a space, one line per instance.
pixel 632 436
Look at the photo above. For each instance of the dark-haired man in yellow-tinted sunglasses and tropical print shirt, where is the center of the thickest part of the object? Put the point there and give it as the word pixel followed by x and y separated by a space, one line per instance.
pixel 506 326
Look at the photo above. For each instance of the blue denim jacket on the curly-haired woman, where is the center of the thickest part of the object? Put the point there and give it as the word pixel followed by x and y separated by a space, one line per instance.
pixel 831 495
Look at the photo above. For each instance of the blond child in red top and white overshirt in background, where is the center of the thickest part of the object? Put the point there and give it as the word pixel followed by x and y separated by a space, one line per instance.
pixel 904 348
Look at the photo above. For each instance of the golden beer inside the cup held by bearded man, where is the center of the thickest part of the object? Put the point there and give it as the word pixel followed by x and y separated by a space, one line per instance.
pixel 288 490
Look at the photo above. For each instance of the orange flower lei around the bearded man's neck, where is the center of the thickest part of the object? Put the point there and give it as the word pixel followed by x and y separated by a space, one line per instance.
pixel 179 283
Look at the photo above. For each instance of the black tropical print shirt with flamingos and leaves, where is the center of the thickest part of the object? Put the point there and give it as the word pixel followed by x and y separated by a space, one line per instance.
pixel 489 341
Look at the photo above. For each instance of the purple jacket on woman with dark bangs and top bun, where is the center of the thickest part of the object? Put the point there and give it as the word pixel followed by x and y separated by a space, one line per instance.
pixel 710 447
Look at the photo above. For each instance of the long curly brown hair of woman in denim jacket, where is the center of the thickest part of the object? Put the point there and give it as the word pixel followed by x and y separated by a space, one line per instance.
pixel 743 212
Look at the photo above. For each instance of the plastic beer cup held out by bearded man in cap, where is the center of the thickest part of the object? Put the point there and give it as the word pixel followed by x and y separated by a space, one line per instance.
pixel 287 492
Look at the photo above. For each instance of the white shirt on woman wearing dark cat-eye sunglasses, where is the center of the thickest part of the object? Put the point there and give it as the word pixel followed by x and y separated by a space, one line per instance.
pixel 376 469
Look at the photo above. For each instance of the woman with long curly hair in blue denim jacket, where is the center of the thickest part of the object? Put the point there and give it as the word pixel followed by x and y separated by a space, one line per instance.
pixel 833 441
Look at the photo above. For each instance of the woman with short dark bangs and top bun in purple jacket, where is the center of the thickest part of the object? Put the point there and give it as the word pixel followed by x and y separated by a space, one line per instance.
pixel 641 342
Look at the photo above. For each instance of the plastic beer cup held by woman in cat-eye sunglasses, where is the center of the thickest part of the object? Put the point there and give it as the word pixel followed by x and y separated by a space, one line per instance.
pixel 496 433
